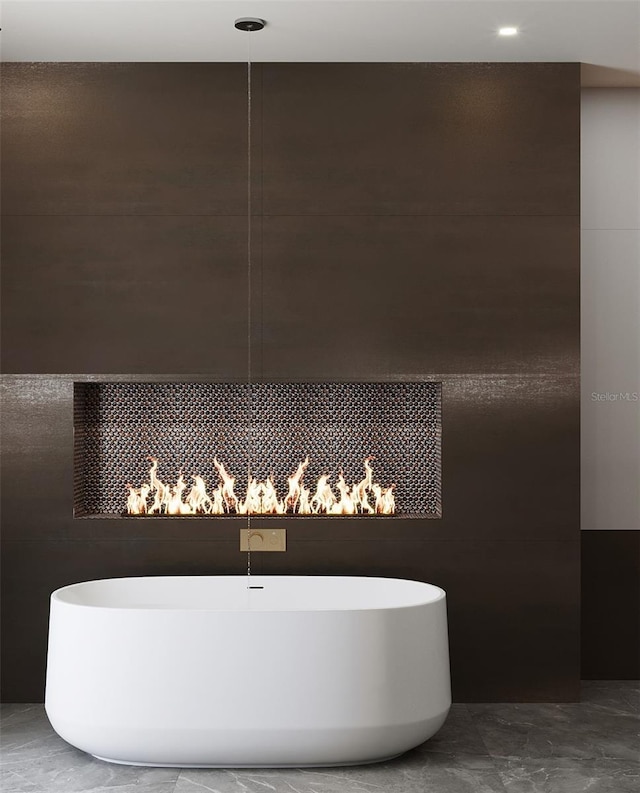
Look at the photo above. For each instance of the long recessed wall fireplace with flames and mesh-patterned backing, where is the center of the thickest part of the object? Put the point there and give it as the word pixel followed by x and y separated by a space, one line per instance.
pixel 230 449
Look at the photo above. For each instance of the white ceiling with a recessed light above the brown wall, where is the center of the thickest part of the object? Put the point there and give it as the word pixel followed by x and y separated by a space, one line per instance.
pixel 603 34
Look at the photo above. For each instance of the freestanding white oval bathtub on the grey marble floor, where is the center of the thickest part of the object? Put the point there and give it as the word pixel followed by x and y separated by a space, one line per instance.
pixel 203 671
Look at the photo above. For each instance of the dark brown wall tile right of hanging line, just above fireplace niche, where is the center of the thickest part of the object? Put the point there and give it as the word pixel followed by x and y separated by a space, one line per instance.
pixel 344 296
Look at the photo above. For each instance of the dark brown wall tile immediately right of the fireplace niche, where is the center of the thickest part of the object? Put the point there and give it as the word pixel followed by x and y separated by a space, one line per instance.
pixel 510 459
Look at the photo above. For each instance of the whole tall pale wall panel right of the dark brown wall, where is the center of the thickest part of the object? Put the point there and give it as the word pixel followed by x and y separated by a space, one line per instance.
pixel 611 309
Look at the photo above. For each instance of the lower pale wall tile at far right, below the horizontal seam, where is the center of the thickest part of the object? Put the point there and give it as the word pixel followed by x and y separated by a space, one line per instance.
pixel 610 379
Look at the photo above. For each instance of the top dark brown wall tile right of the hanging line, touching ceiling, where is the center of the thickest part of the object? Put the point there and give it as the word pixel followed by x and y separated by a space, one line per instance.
pixel 449 139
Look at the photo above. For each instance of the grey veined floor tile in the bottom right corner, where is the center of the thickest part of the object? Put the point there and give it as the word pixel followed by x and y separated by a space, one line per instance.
pixel 568 776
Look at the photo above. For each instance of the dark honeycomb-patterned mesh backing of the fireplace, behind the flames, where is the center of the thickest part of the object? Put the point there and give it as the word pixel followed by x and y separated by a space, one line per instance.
pixel 185 425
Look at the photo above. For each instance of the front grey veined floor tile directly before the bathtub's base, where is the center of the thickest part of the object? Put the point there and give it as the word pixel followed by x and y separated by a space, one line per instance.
pixel 428 773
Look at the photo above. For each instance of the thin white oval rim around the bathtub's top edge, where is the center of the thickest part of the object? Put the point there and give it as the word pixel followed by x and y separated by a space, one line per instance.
pixel 57 596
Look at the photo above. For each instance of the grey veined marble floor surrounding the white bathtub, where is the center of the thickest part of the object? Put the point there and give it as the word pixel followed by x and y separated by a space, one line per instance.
pixel 591 746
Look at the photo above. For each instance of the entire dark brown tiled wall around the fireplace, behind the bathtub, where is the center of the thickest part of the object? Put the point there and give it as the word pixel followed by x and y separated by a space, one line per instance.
pixel 413 221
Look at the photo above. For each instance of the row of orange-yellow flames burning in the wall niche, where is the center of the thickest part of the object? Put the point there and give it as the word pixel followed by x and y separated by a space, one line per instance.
pixel 365 497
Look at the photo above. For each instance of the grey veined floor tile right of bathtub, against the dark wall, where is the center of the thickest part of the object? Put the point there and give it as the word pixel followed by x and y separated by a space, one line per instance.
pixel 573 731
